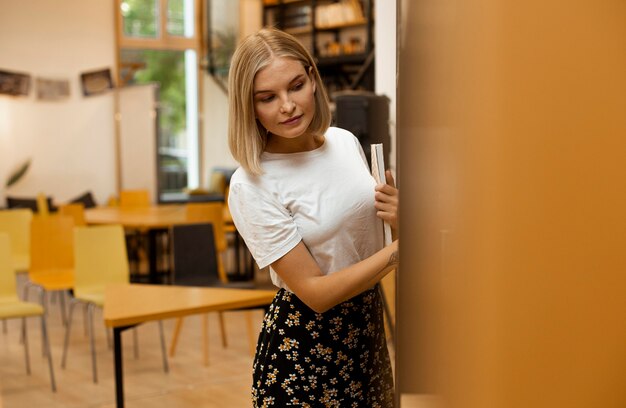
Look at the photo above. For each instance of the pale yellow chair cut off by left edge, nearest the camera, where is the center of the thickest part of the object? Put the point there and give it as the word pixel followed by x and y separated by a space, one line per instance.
pixel 12 307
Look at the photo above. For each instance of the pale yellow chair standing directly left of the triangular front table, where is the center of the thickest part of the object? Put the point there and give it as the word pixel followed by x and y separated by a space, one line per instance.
pixel 100 260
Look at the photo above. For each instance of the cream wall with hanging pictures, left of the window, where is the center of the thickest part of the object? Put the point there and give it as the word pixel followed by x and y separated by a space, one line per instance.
pixel 70 142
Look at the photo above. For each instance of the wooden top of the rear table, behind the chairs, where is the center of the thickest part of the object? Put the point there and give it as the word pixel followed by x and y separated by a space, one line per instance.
pixel 157 216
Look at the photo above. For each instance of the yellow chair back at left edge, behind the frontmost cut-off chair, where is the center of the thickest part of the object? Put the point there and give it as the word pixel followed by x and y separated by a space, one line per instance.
pixel 16 223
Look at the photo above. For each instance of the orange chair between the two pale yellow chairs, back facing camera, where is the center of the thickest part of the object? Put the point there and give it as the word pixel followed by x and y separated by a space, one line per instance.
pixel 52 257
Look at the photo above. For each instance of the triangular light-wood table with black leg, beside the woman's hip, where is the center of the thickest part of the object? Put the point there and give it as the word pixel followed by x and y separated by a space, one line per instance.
pixel 126 306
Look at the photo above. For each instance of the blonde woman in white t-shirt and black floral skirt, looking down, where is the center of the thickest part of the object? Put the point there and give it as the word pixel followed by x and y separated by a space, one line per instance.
pixel 307 206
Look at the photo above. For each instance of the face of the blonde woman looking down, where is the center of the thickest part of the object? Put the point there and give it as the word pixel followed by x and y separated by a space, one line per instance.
pixel 284 98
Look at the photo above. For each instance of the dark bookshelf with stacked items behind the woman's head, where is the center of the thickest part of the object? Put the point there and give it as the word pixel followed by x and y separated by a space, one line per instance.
pixel 338 33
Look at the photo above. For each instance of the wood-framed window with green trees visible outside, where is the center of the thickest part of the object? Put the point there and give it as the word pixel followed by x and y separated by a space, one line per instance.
pixel 159 42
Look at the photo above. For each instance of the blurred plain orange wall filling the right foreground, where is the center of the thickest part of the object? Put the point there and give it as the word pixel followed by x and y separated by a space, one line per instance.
pixel 512 143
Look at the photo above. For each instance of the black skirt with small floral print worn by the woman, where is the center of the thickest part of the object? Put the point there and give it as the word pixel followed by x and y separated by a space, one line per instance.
pixel 334 359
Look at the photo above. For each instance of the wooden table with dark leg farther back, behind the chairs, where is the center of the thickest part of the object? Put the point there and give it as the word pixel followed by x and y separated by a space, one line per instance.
pixel 152 219
